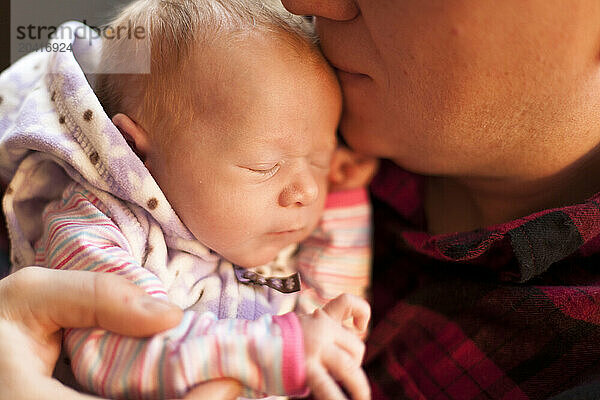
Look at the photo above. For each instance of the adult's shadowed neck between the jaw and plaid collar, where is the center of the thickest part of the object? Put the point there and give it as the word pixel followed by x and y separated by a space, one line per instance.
pixel 464 204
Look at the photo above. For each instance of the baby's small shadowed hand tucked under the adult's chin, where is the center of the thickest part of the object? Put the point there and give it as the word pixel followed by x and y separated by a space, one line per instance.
pixel 349 170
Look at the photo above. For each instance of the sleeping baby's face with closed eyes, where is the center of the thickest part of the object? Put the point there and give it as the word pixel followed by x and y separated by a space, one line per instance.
pixel 251 177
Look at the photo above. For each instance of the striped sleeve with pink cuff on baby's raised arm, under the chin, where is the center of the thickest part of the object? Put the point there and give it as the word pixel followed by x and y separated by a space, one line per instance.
pixel 336 258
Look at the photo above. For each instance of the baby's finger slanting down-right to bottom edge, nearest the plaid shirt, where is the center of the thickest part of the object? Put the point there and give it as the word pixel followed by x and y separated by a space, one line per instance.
pixel 349 374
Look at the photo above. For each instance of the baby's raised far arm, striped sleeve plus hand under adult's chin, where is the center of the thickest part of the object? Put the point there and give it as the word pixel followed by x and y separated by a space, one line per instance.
pixel 336 258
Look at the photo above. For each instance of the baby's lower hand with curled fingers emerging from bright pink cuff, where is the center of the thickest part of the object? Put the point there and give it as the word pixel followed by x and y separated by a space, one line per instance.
pixel 335 352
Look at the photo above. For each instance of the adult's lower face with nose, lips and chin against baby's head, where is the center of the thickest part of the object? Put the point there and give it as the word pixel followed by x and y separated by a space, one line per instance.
pixel 462 87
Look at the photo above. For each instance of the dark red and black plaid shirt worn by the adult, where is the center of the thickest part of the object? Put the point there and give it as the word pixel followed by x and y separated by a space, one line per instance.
pixel 507 312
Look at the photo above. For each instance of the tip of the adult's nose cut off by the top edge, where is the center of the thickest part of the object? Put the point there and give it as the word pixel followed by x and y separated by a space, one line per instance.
pixel 339 10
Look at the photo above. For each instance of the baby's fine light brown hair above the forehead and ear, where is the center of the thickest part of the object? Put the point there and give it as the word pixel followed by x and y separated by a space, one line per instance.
pixel 173 30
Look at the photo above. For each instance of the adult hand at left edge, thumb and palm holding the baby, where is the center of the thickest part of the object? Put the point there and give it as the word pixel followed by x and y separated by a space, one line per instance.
pixel 35 303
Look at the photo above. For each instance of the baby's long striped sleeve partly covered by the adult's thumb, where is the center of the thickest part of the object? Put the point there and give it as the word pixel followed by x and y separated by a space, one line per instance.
pixel 78 235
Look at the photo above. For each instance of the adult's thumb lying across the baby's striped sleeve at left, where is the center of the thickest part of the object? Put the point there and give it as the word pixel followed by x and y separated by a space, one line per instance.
pixel 47 300
